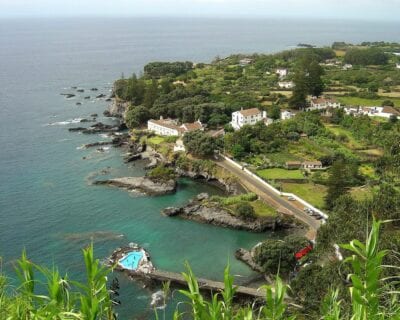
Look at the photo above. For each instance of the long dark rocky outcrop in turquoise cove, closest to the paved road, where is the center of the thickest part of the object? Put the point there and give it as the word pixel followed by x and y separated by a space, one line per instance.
pixel 211 214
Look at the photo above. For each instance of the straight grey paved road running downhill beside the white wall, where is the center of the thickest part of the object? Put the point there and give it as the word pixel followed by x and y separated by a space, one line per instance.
pixel 279 202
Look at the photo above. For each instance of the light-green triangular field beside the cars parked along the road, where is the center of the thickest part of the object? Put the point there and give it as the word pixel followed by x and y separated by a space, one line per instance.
pixel 312 193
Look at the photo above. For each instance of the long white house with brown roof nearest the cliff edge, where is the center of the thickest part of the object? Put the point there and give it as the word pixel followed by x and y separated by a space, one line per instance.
pixel 169 127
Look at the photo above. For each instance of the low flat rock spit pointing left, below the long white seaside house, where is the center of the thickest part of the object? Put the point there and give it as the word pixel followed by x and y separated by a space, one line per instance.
pixel 141 184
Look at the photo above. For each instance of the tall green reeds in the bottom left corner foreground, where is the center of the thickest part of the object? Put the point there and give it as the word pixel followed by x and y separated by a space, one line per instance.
pixel 59 297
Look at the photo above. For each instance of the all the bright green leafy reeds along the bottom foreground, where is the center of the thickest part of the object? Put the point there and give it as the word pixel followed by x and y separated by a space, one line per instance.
pixel 372 296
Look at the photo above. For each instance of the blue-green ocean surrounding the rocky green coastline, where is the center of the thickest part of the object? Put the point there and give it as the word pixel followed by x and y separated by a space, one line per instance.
pixel 47 204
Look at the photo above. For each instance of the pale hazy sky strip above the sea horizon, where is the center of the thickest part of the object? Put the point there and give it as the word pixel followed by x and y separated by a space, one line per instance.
pixel 336 9
